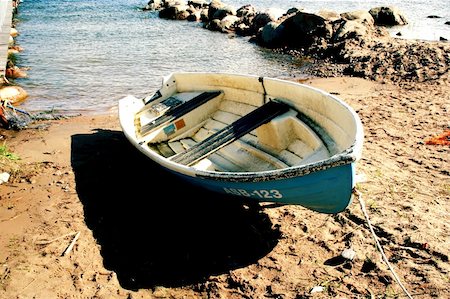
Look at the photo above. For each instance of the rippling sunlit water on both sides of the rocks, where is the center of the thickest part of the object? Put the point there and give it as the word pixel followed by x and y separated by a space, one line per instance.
pixel 84 55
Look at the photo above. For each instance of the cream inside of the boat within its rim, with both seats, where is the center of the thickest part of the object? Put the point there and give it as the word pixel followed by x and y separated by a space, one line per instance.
pixel 226 131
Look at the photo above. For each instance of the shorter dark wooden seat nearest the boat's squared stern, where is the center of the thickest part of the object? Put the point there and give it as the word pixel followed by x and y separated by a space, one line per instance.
pixel 179 110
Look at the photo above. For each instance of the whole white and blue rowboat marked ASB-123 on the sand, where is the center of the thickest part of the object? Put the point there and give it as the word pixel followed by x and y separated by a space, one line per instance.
pixel 264 139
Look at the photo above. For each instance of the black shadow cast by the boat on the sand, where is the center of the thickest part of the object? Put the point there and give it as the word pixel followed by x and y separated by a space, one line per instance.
pixel 155 229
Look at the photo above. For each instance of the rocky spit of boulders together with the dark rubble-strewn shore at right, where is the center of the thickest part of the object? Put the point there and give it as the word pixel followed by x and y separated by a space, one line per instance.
pixel 352 43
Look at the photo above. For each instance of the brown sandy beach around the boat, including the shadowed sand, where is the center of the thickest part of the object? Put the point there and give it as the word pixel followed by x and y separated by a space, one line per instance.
pixel 145 234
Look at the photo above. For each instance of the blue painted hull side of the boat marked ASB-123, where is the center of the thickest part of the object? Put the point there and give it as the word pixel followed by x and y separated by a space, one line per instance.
pixel 328 191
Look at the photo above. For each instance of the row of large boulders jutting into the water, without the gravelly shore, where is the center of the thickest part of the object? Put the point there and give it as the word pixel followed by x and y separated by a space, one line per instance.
pixel 273 28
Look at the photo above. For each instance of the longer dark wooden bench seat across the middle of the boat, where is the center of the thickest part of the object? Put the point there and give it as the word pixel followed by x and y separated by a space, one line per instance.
pixel 230 133
